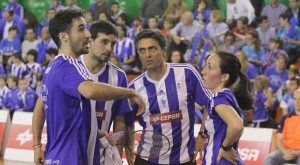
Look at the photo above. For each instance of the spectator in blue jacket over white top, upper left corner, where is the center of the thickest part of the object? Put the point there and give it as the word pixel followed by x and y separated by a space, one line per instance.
pixel 10 20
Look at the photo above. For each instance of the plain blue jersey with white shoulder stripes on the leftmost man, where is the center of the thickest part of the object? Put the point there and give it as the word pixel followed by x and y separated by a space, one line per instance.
pixel 66 112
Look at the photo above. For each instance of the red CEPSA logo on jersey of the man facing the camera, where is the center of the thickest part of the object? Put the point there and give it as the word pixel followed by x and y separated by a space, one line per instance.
pixel 166 117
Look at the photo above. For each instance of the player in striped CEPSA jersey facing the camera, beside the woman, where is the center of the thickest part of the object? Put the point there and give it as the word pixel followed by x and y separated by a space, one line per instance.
pixel 168 89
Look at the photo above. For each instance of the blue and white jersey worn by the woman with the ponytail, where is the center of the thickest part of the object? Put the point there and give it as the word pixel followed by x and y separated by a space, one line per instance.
pixel 216 128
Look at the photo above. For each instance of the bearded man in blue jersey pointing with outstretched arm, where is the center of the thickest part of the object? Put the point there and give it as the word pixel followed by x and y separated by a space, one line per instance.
pixel 66 90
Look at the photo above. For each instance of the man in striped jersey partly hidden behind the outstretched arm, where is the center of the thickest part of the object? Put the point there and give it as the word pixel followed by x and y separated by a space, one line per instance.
pixel 104 37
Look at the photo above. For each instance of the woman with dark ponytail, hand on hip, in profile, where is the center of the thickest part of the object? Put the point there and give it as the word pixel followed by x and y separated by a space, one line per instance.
pixel 231 94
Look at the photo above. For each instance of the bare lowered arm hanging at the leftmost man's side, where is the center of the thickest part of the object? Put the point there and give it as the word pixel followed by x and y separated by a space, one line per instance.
pixel 38 121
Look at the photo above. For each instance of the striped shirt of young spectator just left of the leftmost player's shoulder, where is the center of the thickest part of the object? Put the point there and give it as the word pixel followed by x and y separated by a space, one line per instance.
pixel 30 76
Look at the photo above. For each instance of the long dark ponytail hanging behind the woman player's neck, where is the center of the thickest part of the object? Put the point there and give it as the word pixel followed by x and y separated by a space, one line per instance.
pixel 243 93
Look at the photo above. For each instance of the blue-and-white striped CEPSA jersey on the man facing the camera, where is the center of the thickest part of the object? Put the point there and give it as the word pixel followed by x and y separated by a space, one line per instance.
pixel 170 110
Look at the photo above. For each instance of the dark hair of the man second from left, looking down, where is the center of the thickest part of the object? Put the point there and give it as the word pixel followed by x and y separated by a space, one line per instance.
pixel 101 26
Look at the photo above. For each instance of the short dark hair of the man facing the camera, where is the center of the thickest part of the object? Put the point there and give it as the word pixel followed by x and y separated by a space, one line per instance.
pixel 153 34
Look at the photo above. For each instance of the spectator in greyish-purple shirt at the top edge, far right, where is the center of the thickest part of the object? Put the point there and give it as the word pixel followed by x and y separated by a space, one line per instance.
pixel 272 11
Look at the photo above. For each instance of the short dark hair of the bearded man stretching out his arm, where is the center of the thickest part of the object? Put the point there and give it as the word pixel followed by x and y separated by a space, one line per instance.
pixel 62 22
